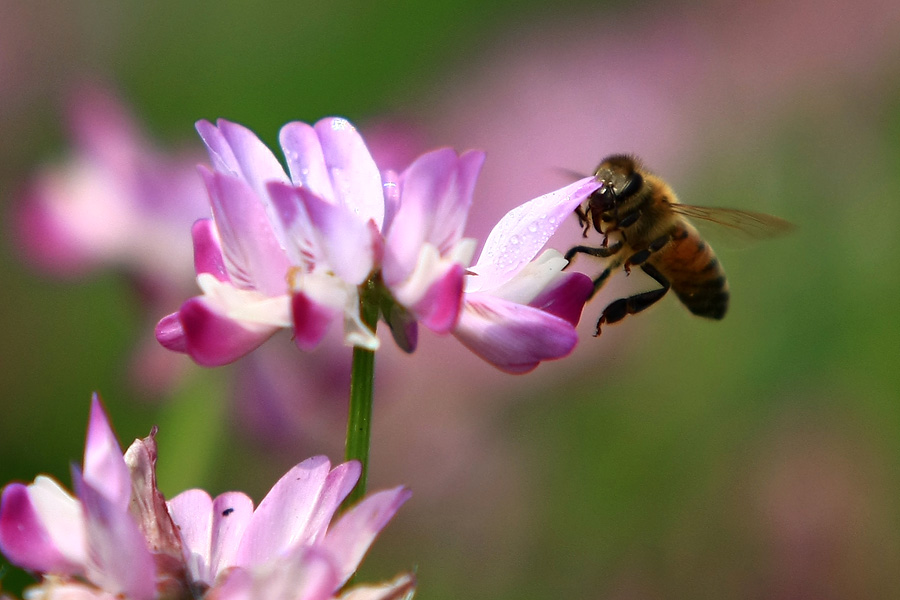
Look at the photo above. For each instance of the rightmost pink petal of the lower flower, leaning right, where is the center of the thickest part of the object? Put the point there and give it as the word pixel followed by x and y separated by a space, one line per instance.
pixel 350 538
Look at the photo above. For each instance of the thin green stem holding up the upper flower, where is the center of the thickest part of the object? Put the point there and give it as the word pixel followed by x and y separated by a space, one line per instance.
pixel 362 379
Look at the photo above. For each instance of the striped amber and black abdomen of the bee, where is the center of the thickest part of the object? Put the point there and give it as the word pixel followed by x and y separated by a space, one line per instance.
pixel 696 276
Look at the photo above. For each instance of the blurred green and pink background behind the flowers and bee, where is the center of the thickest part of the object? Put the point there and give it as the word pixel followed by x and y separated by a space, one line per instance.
pixel 758 457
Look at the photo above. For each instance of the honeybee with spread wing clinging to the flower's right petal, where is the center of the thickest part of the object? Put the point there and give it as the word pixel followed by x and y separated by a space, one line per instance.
pixel 643 224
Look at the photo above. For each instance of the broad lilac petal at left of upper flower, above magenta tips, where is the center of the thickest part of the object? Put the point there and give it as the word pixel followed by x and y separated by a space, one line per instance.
pixel 253 254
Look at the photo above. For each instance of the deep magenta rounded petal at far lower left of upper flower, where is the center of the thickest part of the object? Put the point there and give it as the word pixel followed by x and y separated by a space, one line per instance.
pixel 210 338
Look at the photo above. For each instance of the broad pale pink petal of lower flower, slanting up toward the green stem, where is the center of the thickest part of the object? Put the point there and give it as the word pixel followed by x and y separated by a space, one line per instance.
pixel 282 518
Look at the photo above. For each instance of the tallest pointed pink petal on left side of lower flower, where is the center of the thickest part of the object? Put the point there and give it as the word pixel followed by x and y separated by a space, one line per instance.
pixel 104 468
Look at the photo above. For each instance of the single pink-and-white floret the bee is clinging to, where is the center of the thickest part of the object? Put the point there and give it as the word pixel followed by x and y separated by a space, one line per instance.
pixel 519 311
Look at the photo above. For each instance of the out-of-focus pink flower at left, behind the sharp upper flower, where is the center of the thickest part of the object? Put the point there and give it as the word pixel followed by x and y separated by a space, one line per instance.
pixel 115 202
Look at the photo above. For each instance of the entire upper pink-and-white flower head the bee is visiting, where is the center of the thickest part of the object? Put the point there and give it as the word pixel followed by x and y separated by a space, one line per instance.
pixel 297 250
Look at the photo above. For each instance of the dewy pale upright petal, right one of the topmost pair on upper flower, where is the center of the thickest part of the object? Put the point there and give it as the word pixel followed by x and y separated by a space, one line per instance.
pixel 354 176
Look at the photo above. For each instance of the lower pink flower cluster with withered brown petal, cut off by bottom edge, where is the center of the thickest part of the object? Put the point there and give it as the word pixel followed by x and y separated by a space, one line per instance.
pixel 117 536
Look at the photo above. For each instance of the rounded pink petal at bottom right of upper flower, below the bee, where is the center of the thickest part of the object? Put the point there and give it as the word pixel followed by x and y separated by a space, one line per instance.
pixel 511 336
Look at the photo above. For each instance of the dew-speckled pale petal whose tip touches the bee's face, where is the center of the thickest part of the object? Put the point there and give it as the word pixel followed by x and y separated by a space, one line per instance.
pixel 523 231
